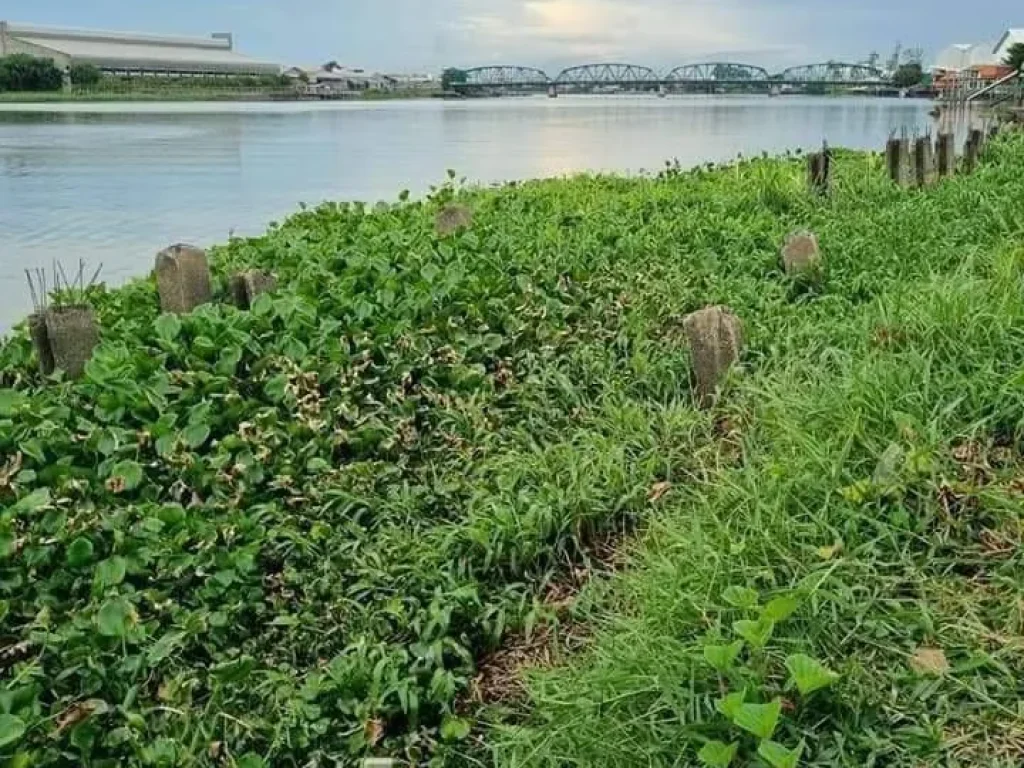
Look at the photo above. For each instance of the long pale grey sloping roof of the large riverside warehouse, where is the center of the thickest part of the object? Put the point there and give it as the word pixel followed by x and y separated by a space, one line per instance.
pixel 116 50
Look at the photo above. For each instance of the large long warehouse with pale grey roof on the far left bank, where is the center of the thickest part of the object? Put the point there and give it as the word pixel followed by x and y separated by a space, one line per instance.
pixel 130 54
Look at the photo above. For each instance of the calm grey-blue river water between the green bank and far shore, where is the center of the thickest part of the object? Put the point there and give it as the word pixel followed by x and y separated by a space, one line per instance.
pixel 114 184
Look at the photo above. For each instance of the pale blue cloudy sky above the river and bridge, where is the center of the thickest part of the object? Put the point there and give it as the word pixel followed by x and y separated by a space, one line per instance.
pixel 428 35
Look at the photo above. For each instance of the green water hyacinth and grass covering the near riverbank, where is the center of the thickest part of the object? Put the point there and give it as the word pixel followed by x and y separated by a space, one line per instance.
pixel 368 516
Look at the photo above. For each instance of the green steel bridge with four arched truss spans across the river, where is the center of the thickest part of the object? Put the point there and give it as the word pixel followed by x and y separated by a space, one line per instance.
pixel 635 77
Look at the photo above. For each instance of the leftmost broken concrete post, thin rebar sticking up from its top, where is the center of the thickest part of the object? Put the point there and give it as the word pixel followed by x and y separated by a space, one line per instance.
pixel 65 338
